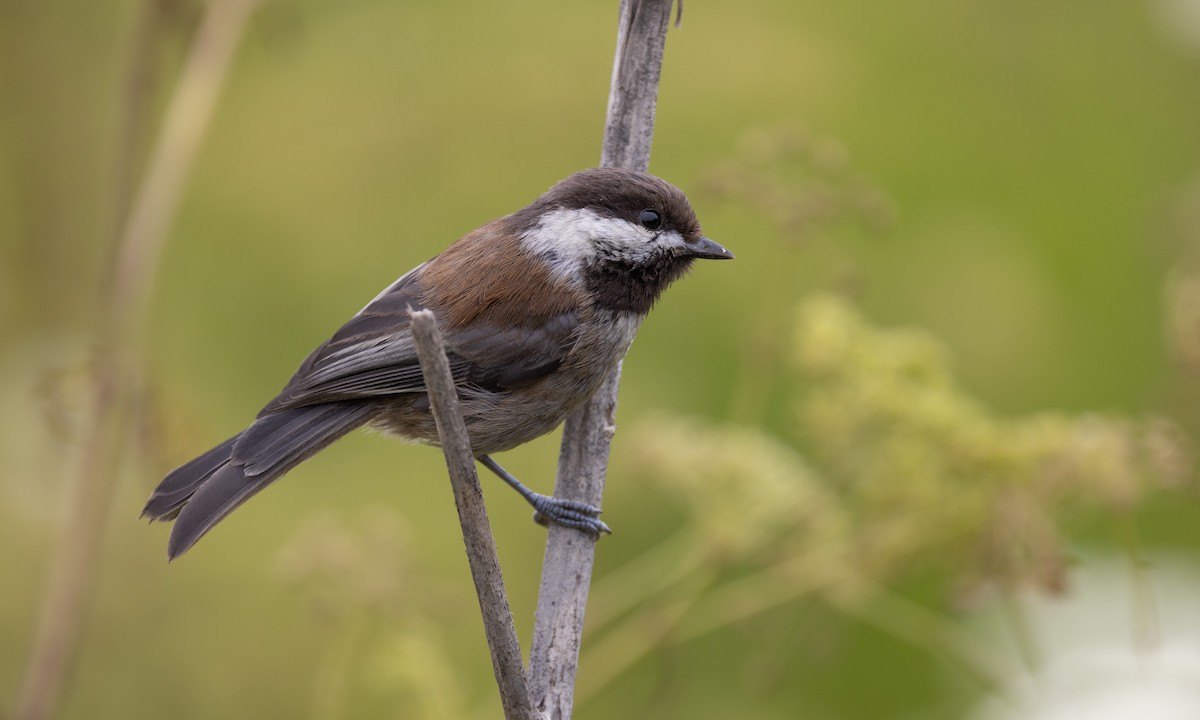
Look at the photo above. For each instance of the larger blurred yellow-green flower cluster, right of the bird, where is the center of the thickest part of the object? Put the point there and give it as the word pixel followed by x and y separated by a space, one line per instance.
pixel 928 472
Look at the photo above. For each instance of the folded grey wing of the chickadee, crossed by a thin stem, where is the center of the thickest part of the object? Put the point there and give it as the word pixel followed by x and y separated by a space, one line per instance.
pixel 374 356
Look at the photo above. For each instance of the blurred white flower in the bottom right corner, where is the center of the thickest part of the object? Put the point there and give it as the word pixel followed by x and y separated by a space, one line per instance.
pixel 1123 645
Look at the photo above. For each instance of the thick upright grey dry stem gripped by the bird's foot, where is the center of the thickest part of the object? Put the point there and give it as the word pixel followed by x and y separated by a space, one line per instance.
pixel 587 435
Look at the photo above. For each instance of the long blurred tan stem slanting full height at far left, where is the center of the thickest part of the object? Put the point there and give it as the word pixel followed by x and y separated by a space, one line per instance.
pixel 118 345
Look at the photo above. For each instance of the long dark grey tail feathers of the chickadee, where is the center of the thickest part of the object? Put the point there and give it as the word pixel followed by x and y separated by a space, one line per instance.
pixel 199 495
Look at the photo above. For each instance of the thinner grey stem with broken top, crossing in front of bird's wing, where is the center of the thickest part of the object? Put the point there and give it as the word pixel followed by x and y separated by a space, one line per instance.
pixel 477 532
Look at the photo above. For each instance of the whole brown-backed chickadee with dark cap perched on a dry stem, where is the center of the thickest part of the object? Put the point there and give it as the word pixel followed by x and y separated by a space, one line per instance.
pixel 536 309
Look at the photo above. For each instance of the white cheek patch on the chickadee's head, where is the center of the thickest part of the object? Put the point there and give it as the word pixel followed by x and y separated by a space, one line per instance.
pixel 566 239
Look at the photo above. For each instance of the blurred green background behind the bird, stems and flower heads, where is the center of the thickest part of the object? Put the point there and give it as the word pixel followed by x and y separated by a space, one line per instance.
pixel 1019 179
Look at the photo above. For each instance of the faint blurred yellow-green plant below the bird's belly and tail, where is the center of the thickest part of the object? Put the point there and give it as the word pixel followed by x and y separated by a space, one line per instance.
pixel 386 628
